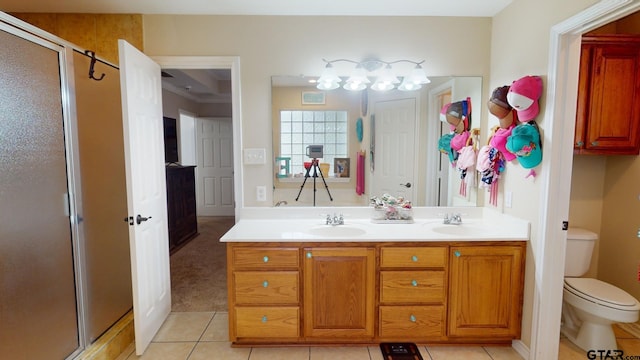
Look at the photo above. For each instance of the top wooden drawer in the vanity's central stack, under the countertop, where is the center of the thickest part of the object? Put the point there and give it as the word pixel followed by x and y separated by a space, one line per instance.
pixel 408 257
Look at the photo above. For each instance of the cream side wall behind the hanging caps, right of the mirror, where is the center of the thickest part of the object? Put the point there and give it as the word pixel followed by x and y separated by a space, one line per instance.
pixel 520 46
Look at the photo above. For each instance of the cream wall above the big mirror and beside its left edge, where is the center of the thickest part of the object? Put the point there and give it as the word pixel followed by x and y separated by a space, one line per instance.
pixel 282 45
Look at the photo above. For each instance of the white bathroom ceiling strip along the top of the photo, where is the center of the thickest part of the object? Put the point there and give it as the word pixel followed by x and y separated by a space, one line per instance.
pixel 482 8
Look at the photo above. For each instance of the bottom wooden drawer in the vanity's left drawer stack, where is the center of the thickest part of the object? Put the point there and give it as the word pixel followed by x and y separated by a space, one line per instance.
pixel 267 322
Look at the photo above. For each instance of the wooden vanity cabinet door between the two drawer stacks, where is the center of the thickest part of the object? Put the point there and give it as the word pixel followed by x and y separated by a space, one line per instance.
pixel 339 292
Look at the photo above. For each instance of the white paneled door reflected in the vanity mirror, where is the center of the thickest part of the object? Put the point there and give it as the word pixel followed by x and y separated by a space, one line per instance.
pixel 395 150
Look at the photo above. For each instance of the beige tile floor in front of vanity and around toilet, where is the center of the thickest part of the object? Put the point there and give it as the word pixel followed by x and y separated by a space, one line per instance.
pixel 204 336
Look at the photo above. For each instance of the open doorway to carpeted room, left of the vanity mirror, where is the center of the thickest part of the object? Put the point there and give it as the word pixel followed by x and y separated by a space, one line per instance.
pixel 192 283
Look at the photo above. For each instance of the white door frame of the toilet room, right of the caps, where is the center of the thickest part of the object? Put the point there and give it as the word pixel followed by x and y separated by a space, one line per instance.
pixel 561 90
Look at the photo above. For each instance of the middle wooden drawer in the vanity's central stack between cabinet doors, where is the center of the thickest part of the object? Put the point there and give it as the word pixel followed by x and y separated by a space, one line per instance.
pixel 426 286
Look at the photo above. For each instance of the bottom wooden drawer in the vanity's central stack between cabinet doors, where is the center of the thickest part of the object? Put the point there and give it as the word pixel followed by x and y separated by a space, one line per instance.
pixel 412 321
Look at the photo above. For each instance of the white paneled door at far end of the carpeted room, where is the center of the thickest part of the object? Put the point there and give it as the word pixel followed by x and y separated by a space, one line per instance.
pixel 214 179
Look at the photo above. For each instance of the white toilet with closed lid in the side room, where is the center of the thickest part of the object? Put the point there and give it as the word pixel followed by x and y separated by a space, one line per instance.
pixel 591 306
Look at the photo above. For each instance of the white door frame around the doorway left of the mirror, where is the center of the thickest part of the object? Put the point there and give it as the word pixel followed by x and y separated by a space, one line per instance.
pixel 219 62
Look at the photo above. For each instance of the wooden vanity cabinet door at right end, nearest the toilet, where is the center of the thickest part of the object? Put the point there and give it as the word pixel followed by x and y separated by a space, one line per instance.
pixel 486 291
